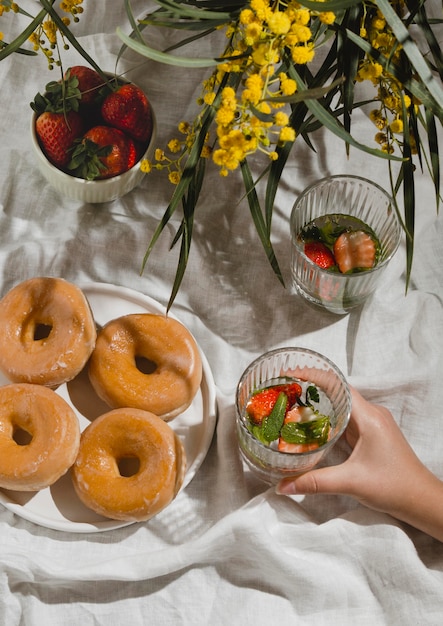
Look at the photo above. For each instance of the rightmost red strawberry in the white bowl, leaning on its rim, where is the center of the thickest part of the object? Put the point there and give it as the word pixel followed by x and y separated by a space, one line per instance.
pixel 128 109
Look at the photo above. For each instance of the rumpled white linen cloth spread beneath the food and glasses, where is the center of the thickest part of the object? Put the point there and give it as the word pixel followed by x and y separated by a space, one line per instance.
pixel 228 550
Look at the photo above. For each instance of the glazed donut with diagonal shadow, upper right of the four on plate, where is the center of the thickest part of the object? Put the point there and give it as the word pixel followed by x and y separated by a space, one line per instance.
pixel 146 361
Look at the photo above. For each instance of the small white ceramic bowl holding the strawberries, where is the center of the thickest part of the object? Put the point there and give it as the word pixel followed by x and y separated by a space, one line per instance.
pixel 92 191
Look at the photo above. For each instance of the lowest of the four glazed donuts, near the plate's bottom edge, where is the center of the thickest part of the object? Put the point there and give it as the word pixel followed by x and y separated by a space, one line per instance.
pixel 130 465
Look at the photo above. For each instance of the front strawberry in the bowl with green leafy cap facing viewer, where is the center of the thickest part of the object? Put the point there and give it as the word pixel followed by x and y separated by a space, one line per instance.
pixel 102 152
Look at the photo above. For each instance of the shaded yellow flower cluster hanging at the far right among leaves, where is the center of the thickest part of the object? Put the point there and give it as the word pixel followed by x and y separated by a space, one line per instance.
pixel 388 117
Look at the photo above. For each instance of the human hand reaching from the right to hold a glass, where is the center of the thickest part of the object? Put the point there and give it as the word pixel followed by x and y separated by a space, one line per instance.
pixel 382 472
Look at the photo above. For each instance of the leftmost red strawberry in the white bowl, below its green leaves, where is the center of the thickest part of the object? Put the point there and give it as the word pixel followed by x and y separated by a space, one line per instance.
pixel 56 133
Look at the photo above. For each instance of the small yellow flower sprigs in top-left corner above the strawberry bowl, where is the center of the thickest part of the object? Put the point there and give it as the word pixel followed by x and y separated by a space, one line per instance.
pixel 45 38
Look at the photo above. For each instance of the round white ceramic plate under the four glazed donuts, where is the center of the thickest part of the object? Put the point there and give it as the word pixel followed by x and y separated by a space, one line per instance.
pixel 58 506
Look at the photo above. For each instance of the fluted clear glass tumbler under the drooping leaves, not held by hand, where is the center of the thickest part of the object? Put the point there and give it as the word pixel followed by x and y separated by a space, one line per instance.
pixel 351 196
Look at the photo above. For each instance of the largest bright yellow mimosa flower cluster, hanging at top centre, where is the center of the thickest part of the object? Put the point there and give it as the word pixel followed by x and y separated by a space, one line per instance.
pixel 268 35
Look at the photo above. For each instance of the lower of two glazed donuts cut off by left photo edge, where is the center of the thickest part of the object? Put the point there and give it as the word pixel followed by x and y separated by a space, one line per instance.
pixel 39 437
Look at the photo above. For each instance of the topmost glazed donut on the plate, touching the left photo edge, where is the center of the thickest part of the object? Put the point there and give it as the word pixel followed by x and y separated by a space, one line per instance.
pixel 48 332
